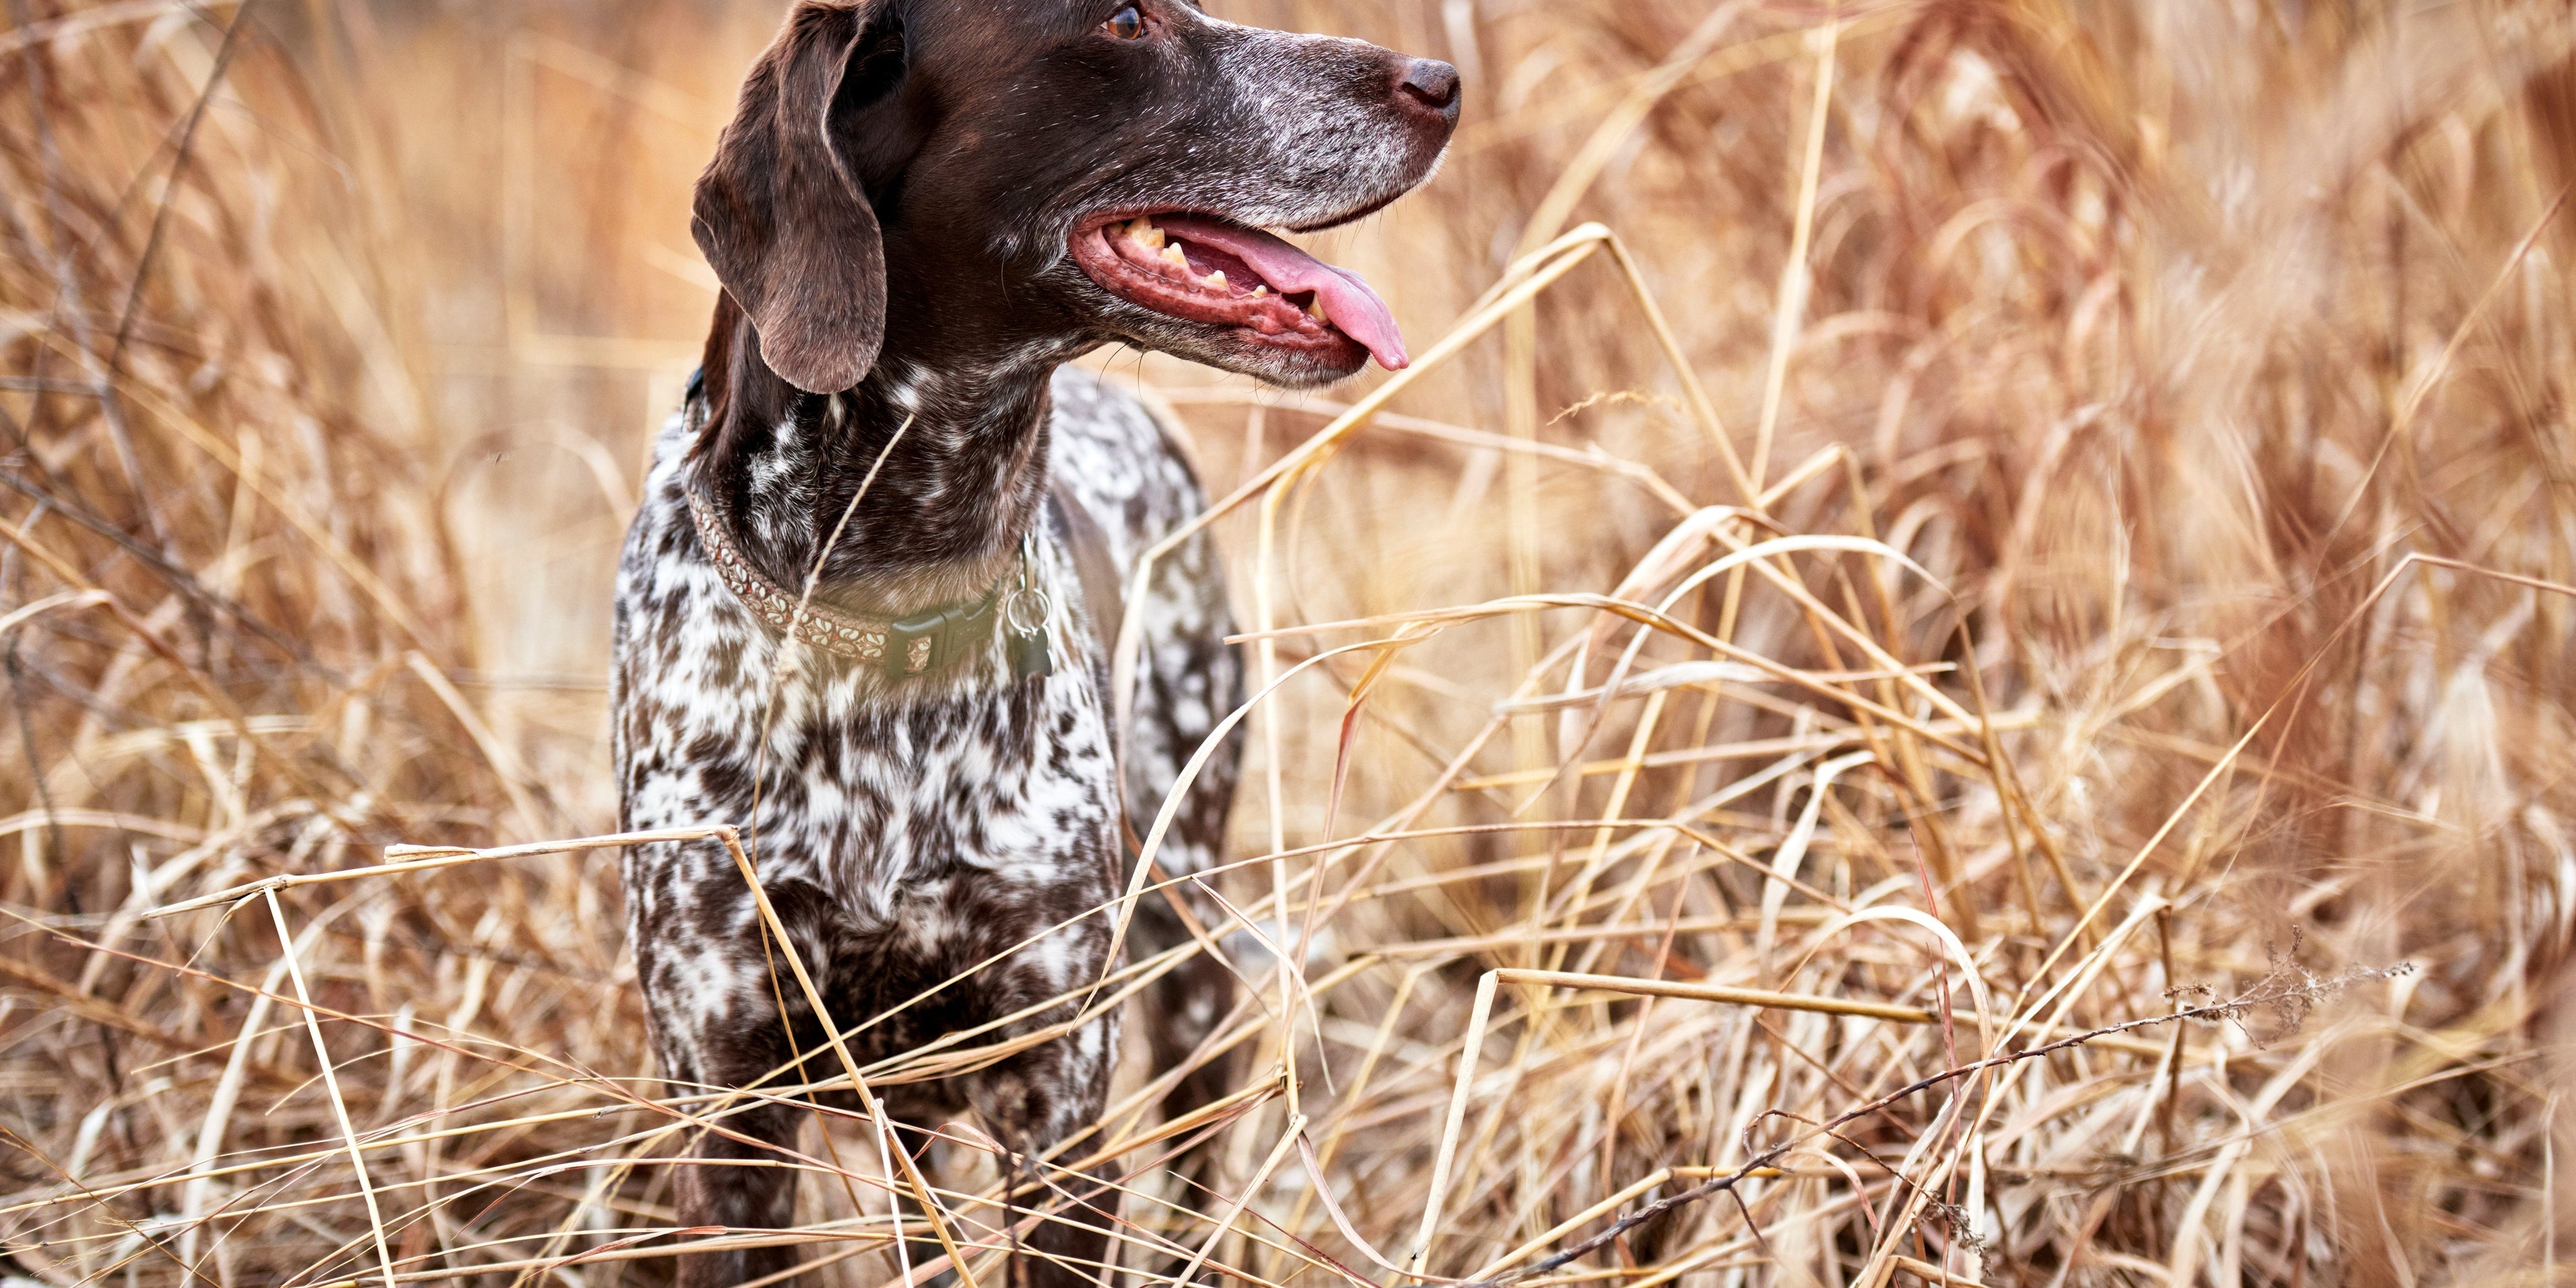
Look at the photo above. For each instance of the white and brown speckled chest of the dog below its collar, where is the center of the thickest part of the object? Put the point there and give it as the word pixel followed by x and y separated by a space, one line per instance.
pixel 880 795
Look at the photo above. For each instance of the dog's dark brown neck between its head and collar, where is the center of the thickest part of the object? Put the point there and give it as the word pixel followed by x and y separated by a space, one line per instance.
pixel 947 509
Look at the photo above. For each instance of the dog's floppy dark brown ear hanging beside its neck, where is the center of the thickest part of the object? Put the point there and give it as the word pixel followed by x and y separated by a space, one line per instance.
pixel 779 213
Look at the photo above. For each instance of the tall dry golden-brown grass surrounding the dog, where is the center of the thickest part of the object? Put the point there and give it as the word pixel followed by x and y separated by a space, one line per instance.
pixel 1933 537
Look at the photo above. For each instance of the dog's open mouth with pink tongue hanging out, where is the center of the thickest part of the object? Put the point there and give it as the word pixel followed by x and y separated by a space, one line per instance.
pixel 1225 274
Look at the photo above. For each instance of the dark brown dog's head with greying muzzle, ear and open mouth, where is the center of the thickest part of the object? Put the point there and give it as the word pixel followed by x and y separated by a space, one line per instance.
pixel 1045 176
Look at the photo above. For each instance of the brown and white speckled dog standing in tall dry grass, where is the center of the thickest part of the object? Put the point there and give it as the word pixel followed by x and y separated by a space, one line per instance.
pixel 918 215
